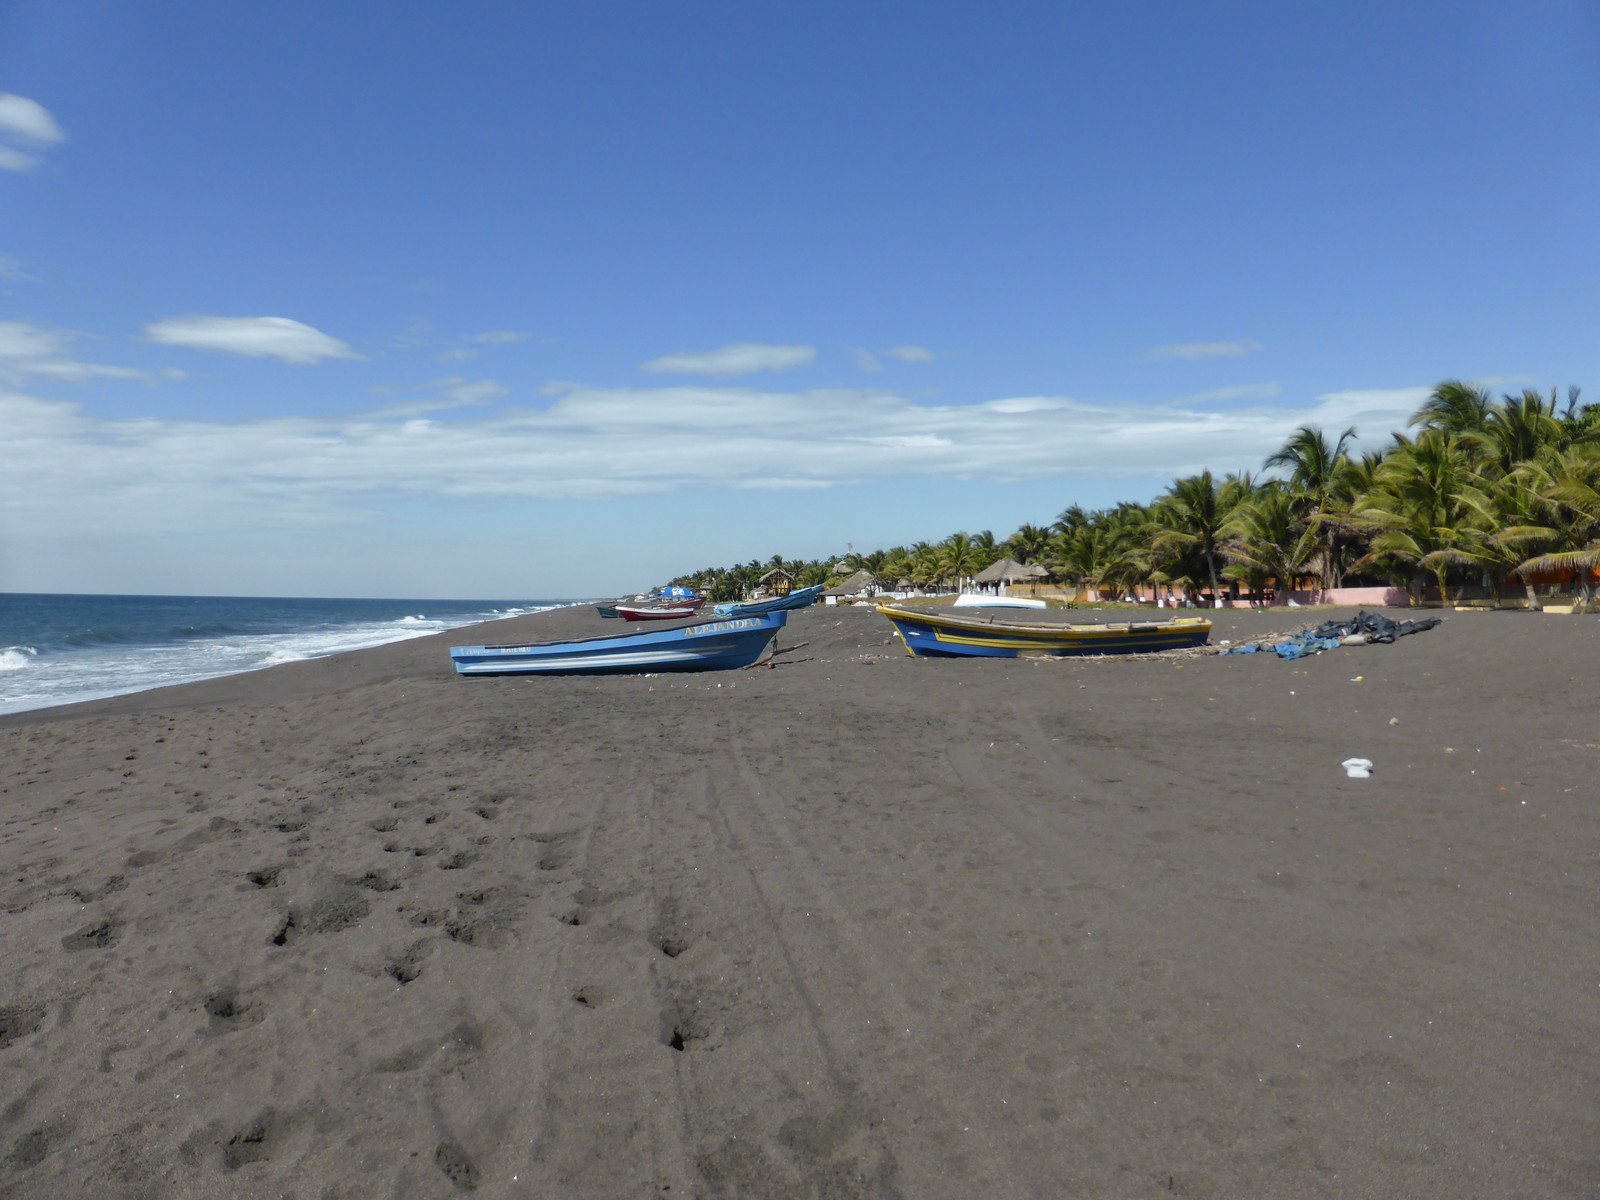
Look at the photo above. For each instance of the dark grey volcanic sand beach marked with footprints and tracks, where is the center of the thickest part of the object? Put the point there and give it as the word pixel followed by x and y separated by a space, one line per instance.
pixel 854 926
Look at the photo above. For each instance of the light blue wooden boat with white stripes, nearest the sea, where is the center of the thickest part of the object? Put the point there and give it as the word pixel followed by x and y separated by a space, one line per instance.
pixel 711 646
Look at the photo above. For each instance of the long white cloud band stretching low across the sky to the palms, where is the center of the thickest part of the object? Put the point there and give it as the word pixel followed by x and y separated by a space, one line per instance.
pixel 66 470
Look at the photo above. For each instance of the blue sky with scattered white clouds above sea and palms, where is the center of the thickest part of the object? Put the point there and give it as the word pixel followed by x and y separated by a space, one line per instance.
pixel 516 300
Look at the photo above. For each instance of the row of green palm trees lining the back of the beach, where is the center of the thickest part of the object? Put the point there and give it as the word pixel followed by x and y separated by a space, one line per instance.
pixel 1479 490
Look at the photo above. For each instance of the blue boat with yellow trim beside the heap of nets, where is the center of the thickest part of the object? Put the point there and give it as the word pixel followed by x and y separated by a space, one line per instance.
pixel 945 634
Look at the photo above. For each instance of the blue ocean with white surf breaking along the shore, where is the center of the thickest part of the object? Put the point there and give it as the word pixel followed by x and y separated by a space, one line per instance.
pixel 68 649
